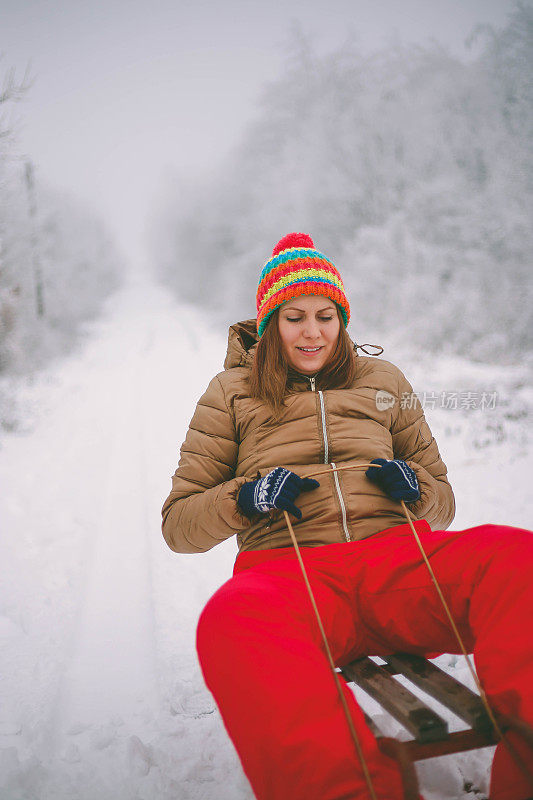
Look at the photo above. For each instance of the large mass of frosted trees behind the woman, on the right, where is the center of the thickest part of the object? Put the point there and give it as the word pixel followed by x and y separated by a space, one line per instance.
pixel 412 169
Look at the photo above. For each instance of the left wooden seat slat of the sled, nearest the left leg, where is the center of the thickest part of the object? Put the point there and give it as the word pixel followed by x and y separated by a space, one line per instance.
pixel 423 723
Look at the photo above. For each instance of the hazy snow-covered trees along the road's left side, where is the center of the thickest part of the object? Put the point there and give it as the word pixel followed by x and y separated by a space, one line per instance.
pixel 57 261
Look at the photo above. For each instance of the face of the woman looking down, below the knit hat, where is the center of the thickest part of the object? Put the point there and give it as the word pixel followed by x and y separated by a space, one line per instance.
pixel 309 328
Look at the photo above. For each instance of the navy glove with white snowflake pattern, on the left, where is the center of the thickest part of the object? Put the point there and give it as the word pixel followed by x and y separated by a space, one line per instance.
pixel 278 489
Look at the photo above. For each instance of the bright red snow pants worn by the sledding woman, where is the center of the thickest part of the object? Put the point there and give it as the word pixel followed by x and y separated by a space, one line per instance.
pixel 264 662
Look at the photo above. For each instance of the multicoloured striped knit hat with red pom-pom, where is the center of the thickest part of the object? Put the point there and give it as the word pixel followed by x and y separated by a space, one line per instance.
pixel 296 268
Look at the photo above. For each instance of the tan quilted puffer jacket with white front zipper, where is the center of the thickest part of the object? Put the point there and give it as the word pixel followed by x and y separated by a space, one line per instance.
pixel 231 439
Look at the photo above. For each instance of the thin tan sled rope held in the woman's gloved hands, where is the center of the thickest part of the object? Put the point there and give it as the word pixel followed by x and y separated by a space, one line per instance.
pixel 499 733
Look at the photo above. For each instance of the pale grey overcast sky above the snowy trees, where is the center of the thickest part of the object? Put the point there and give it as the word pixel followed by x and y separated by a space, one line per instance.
pixel 126 91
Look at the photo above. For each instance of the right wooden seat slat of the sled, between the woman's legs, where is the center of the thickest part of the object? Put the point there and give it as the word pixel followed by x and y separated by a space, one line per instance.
pixel 438 684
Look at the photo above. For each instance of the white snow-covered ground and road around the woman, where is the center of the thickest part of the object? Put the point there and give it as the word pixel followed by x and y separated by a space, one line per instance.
pixel 101 696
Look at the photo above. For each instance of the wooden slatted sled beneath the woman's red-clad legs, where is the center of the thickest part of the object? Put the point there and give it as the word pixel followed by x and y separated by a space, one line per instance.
pixel 430 731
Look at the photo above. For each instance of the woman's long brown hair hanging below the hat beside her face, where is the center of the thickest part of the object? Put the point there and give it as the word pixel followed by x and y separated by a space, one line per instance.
pixel 270 369
